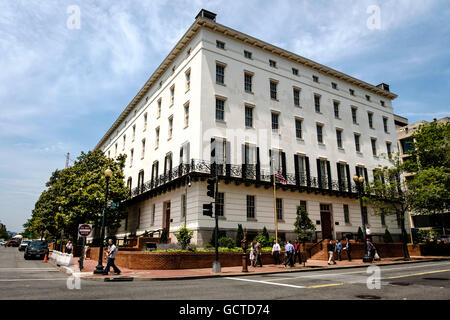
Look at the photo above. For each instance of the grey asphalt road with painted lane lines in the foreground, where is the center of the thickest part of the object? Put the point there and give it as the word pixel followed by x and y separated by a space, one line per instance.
pixel 33 279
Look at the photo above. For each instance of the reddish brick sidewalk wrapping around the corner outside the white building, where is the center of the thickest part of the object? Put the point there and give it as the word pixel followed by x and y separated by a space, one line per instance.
pixel 311 265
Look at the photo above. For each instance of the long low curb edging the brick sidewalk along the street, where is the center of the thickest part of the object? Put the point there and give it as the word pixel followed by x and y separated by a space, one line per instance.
pixel 138 278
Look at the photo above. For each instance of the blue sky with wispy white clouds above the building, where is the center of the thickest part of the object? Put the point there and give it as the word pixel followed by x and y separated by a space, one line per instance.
pixel 61 88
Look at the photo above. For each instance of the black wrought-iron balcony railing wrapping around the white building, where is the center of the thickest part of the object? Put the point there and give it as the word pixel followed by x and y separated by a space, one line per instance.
pixel 245 172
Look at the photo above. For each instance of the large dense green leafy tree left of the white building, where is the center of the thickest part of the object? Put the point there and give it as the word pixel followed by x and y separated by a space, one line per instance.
pixel 76 195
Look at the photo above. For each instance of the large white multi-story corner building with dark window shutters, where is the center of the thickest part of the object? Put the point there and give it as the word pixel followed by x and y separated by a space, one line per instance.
pixel 258 106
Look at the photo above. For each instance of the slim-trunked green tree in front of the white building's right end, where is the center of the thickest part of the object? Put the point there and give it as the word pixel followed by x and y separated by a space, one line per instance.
pixel 388 195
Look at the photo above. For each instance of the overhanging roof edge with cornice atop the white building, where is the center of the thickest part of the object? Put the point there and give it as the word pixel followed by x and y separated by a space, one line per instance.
pixel 206 19
